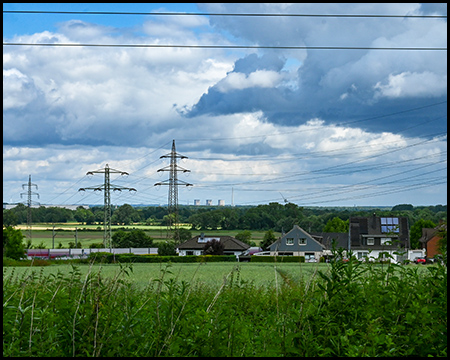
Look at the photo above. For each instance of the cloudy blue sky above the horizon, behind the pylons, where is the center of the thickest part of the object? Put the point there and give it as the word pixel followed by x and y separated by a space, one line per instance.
pixel 264 116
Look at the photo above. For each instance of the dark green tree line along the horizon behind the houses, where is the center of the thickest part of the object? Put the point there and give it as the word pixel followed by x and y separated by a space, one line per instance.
pixel 272 216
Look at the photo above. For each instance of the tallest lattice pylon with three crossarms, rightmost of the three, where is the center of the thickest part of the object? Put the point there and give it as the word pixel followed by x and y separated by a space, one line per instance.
pixel 173 182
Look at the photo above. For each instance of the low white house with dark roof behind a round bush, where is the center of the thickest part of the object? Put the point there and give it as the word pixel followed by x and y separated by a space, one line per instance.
pixel 195 245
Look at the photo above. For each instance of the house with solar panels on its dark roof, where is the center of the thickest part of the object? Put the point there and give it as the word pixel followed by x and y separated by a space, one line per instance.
pixel 375 236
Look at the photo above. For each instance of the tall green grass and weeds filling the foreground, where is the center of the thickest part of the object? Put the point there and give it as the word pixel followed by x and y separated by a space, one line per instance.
pixel 352 309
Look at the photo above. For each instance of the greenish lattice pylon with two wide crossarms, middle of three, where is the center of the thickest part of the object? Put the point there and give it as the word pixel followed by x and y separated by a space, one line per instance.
pixel 107 187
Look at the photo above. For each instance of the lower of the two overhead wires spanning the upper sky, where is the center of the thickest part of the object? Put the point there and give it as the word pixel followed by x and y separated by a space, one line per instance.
pixel 231 46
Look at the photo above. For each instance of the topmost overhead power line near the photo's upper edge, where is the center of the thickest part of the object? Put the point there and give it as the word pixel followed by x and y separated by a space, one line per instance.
pixel 222 14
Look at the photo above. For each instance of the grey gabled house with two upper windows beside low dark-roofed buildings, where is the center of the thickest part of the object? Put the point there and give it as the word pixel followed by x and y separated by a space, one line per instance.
pixel 297 242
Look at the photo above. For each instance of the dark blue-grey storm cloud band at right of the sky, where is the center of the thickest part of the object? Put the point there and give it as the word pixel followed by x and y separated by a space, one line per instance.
pixel 285 106
